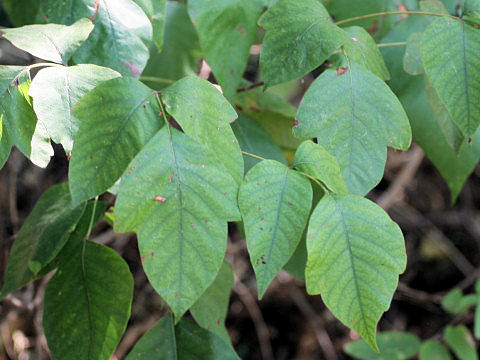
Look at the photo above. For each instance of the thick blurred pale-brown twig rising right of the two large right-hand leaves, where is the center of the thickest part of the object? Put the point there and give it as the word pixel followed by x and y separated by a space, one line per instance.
pixel 396 190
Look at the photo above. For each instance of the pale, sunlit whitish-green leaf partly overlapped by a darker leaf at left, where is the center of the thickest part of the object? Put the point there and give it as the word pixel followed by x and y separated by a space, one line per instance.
pixel 56 90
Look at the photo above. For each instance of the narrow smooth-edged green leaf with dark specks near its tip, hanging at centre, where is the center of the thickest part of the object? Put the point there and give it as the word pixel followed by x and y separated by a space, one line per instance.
pixel 275 202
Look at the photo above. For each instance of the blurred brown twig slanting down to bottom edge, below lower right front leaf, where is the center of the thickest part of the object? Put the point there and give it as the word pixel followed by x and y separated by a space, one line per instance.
pixel 313 319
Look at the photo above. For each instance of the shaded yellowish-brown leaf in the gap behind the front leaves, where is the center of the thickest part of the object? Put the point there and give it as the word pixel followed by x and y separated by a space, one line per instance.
pixel 273 113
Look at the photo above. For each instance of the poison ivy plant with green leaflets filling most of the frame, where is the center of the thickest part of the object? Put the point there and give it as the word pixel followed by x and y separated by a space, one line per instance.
pixel 119 91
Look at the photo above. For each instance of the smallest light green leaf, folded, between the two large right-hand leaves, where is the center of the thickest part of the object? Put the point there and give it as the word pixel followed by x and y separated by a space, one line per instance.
pixel 314 160
